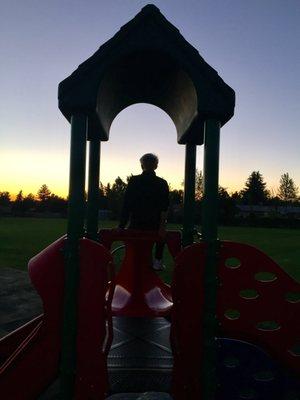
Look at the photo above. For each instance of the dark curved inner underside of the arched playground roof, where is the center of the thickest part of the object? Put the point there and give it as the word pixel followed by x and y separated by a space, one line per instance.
pixel 148 76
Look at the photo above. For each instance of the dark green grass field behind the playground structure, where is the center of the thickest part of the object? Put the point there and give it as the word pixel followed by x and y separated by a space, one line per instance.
pixel 22 238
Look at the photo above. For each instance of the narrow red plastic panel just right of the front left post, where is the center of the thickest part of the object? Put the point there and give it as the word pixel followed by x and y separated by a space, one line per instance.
pixel 94 322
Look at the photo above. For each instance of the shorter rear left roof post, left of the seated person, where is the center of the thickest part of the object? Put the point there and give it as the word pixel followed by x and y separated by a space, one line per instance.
pixel 93 190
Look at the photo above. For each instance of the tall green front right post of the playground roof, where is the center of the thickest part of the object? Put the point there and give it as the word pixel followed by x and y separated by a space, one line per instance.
pixel 210 237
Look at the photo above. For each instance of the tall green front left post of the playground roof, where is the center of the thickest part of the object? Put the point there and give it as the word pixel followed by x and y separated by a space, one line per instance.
pixel 75 231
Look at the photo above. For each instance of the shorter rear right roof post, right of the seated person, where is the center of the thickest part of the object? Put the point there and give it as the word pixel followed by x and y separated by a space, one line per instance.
pixel 189 194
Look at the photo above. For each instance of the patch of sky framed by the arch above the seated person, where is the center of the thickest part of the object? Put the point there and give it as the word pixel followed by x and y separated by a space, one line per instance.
pixel 140 129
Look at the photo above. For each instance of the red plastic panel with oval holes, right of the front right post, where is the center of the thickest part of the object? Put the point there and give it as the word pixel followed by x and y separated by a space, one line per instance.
pixel 265 301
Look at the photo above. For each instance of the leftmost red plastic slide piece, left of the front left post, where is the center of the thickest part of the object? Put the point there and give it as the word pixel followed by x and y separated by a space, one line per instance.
pixel 34 363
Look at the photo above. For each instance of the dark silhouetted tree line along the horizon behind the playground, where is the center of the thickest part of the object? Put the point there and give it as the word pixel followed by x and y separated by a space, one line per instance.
pixel 254 192
